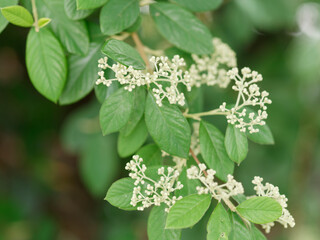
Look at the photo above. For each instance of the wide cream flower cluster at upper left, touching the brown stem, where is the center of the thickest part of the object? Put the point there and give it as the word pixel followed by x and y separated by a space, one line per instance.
pixel 165 78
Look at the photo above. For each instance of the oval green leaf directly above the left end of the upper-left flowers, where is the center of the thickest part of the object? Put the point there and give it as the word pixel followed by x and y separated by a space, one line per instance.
pixel 123 53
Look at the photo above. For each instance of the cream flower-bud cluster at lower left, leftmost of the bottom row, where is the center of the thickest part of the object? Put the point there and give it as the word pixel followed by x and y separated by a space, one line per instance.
pixel 149 192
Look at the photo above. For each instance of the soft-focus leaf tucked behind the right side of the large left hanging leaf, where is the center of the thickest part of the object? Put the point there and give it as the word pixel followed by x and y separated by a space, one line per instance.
pixel 82 74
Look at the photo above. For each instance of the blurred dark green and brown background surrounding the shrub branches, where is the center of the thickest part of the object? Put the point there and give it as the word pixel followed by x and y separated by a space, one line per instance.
pixel 55 167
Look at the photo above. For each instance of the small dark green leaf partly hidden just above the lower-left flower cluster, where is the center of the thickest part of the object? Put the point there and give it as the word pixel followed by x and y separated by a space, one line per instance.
pixel 151 155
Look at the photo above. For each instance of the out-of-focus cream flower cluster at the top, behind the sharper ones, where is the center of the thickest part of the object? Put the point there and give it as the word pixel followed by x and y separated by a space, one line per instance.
pixel 211 69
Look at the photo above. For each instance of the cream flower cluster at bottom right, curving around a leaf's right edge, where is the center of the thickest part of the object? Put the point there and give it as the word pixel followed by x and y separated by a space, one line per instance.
pixel 269 190
